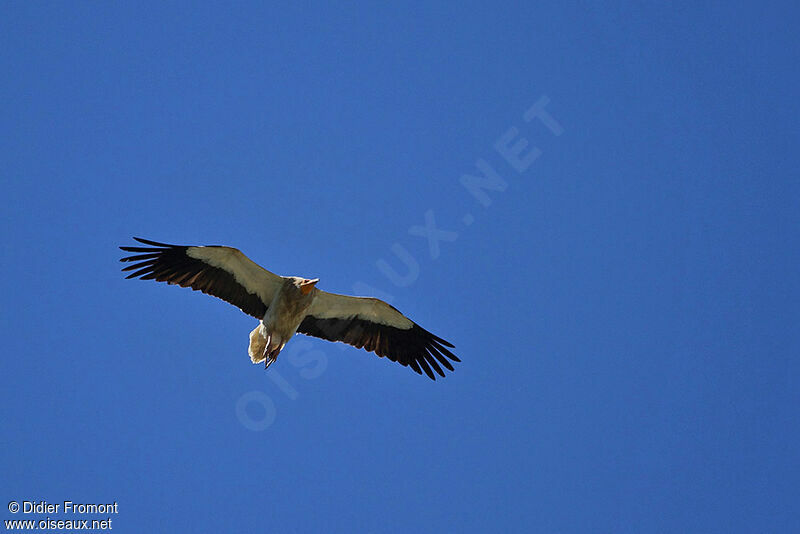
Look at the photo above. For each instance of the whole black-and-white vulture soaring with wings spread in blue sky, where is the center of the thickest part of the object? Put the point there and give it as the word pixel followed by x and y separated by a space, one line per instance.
pixel 286 305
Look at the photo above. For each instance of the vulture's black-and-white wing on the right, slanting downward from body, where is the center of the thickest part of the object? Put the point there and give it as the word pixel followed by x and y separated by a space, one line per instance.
pixel 378 327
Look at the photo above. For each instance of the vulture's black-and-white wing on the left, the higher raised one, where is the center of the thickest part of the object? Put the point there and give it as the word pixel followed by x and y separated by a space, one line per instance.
pixel 222 272
